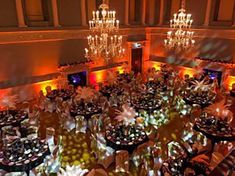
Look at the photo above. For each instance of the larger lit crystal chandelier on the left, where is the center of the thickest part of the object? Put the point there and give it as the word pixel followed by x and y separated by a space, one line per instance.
pixel 104 41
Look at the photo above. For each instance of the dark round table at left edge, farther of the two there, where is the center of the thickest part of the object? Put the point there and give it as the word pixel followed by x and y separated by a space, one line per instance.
pixel 12 117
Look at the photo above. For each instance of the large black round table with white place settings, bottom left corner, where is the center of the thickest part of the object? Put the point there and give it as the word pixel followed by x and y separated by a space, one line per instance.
pixel 23 155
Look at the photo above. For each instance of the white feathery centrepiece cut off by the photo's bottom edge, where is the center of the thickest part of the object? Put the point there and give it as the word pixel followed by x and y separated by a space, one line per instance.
pixel 73 171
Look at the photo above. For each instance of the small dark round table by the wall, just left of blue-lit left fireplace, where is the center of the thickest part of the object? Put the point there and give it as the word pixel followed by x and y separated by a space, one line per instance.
pixel 65 94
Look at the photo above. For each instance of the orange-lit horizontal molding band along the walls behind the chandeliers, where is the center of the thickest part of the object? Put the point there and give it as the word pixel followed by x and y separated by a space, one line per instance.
pixel 66 34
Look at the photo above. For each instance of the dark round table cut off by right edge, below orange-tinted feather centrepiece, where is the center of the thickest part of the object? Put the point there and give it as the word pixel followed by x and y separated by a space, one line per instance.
pixel 214 130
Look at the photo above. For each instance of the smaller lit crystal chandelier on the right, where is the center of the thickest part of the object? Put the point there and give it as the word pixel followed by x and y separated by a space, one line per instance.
pixel 180 36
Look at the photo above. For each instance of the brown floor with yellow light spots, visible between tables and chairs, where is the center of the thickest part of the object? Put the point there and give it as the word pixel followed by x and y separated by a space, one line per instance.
pixel 77 148
